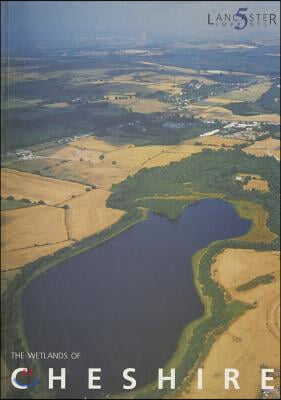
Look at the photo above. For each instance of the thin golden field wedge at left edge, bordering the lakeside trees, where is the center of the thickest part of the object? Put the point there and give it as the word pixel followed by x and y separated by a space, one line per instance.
pixel 18 258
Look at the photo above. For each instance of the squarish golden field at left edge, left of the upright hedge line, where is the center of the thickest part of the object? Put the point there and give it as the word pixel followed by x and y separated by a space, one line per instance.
pixel 38 225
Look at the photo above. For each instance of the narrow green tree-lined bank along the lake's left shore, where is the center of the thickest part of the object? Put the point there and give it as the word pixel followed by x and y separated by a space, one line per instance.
pixel 13 332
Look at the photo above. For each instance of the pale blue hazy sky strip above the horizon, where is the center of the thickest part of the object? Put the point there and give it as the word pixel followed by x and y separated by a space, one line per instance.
pixel 26 21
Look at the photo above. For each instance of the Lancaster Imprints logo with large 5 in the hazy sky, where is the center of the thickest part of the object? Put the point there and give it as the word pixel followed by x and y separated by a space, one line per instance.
pixel 243 18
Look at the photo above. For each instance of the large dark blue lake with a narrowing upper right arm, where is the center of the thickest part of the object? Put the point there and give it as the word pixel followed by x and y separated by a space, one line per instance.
pixel 125 303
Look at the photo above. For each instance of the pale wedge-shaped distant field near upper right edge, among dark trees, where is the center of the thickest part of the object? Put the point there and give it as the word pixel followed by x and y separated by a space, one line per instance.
pixel 251 93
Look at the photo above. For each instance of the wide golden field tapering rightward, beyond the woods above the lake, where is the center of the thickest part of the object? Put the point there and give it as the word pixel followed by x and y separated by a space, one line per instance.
pixel 119 161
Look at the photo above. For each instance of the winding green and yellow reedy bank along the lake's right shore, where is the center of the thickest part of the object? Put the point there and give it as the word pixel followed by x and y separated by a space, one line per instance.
pixel 199 336
